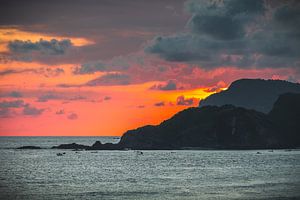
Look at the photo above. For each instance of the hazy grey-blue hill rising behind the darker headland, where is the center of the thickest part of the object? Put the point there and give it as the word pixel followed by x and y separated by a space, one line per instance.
pixel 257 94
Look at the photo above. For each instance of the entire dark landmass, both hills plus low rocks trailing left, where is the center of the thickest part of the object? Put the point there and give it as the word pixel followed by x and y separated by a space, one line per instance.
pixel 228 126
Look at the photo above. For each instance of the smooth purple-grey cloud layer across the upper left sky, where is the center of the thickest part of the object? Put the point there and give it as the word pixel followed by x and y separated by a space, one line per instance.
pixel 113 26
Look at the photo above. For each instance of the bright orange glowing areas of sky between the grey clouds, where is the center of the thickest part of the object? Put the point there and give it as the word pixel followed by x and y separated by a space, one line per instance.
pixel 100 110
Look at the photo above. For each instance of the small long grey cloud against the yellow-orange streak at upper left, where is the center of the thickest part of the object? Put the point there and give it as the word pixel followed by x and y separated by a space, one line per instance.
pixel 52 47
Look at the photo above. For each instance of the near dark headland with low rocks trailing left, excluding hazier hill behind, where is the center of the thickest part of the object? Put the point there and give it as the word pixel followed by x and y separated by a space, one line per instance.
pixel 213 127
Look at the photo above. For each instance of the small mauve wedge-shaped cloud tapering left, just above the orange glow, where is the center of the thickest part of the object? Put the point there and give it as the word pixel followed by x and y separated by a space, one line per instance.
pixel 110 79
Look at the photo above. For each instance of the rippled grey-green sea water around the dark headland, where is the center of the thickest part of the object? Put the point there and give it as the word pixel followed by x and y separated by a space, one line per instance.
pixel 182 174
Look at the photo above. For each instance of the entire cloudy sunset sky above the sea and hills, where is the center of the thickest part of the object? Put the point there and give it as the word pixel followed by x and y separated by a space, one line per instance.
pixel 102 67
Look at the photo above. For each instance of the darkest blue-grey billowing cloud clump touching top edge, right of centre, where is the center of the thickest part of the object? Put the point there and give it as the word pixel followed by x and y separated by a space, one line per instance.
pixel 226 20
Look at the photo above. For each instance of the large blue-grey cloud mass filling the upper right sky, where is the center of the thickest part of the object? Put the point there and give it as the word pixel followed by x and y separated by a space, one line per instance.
pixel 244 34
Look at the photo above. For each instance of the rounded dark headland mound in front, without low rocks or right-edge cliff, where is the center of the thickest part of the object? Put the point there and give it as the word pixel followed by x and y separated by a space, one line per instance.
pixel 225 127
